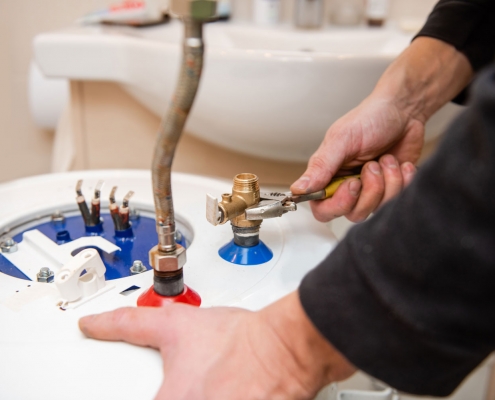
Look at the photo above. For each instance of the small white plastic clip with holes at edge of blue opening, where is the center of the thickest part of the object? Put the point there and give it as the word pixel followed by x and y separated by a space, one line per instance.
pixel 75 288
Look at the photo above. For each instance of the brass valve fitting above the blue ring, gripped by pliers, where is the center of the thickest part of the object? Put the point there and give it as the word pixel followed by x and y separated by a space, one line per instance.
pixel 245 193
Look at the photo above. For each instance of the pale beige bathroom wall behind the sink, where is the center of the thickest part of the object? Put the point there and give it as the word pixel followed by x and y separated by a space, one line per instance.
pixel 25 149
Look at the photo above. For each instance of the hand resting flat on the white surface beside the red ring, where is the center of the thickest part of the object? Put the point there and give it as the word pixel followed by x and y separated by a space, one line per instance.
pixel 229 353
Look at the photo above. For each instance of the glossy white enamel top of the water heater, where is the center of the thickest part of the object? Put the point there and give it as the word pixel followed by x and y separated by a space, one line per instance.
pixel 43 353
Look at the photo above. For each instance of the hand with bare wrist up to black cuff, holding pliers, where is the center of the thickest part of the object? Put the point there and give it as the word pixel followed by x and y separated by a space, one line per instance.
pixel 386 125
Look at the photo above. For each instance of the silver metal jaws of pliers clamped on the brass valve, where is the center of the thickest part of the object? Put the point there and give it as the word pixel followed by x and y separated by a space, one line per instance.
pixel 271 205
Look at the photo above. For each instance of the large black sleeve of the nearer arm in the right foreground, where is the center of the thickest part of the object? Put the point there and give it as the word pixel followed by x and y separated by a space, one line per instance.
pixel 409 295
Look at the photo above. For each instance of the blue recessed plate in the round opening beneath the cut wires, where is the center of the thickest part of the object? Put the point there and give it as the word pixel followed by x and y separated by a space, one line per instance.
pixel 135 243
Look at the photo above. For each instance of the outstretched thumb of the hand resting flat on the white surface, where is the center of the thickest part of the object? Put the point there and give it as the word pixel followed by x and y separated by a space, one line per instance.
pixel 133 325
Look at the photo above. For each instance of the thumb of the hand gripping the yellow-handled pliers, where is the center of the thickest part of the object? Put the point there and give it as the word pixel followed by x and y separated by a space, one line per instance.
pixel 322 166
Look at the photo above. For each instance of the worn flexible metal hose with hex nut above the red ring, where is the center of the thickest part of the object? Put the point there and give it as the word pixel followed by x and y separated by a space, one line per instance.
pixel 168 257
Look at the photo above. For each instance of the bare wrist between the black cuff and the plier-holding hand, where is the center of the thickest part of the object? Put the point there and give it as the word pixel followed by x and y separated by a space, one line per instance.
pixel 427 75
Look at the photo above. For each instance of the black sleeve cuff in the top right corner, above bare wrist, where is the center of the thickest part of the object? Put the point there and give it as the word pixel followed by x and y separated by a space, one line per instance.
pixel 468 25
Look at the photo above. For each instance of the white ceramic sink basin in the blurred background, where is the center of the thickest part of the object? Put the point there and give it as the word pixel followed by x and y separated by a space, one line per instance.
pixel 270 92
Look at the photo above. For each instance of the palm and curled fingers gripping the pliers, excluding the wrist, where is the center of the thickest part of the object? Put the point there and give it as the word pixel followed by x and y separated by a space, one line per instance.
pixel 376 129
